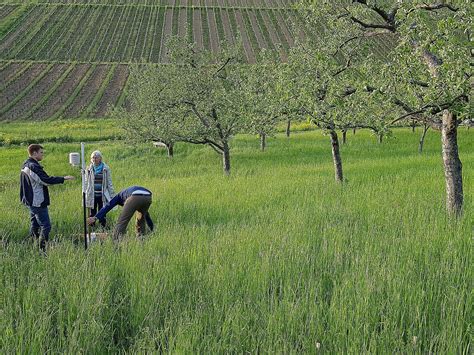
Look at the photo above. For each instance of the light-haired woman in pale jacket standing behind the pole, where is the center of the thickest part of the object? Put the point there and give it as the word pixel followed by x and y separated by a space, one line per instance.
pixel 99 188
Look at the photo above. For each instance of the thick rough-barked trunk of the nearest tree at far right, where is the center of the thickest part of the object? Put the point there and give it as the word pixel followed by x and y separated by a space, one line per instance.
pixel 452 164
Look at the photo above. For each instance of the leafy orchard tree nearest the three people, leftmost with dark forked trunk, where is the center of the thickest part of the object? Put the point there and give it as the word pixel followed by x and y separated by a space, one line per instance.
pixel 196 98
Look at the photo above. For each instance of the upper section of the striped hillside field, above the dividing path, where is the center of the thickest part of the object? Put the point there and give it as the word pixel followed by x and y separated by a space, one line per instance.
pixel 126 34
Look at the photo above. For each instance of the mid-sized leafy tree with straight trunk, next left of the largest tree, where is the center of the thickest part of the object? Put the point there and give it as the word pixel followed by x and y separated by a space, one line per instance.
pixel 316 86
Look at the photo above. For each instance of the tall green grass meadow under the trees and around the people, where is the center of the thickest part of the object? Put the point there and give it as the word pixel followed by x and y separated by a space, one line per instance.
pixel 276 258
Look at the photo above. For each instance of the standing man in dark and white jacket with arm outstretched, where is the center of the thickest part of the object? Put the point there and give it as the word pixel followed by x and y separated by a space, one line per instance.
pixel 34 193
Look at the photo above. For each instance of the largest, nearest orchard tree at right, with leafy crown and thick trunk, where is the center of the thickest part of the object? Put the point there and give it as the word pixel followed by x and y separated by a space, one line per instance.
pixel 427 74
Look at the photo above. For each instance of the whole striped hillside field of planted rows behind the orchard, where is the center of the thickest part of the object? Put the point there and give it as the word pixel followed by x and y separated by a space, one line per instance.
pixel 69 59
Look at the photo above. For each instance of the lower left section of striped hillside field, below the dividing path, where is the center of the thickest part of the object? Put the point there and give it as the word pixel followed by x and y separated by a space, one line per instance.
pixel 41 91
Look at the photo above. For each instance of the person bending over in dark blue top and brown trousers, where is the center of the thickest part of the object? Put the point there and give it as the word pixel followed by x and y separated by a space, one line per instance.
pixel 133 199
